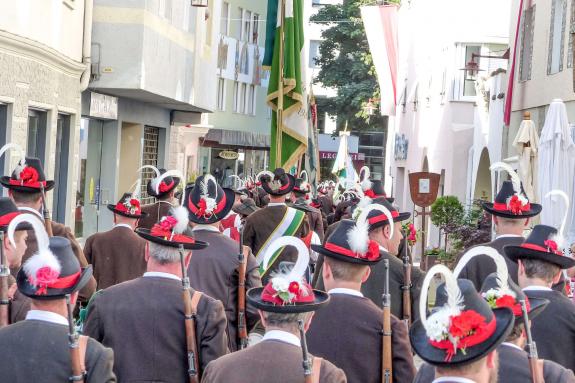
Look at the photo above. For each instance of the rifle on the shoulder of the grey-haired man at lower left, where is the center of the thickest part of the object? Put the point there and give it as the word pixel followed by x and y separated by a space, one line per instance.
pixel 190 323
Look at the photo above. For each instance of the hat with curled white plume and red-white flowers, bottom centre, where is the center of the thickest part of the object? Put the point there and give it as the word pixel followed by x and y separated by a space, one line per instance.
pixel 287 291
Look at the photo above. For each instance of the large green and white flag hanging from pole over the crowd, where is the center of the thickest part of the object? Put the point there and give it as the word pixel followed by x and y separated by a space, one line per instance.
pixel 294 127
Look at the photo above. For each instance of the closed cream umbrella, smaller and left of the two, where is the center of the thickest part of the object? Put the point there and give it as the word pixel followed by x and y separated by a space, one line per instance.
pixel 527 145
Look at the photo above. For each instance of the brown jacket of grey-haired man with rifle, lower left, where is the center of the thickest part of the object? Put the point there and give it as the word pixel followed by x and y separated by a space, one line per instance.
pixel 142 320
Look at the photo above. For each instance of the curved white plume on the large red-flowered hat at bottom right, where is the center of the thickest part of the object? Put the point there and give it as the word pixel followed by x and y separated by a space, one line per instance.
pixel 454 296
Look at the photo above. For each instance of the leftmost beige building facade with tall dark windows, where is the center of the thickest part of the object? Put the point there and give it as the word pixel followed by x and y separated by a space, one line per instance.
pixel 44 67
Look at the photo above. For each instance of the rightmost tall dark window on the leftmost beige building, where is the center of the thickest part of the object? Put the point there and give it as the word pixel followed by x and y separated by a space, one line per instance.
pixel 61 168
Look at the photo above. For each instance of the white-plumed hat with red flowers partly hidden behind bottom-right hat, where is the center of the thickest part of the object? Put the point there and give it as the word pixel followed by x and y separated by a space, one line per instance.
pixel 498 288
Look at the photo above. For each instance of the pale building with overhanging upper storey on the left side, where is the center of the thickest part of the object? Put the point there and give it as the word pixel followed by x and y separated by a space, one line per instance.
pixel 152 65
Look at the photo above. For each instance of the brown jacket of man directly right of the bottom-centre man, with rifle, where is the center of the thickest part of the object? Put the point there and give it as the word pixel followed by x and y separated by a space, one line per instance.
pixel 347 332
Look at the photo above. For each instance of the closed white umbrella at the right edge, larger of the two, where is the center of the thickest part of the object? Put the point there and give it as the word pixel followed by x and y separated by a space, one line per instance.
pixel 556 163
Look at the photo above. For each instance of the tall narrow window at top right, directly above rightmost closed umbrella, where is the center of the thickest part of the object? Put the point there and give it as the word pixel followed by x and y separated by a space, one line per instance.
pixel 556 36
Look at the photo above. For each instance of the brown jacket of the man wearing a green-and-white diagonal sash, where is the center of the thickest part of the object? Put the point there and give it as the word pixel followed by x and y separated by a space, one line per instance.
pixel 260 225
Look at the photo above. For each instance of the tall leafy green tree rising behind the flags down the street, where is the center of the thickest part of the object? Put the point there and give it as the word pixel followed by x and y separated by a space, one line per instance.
pixel 346 64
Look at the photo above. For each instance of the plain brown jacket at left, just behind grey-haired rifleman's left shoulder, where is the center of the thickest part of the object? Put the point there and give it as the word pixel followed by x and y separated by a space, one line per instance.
pixel 116 255
